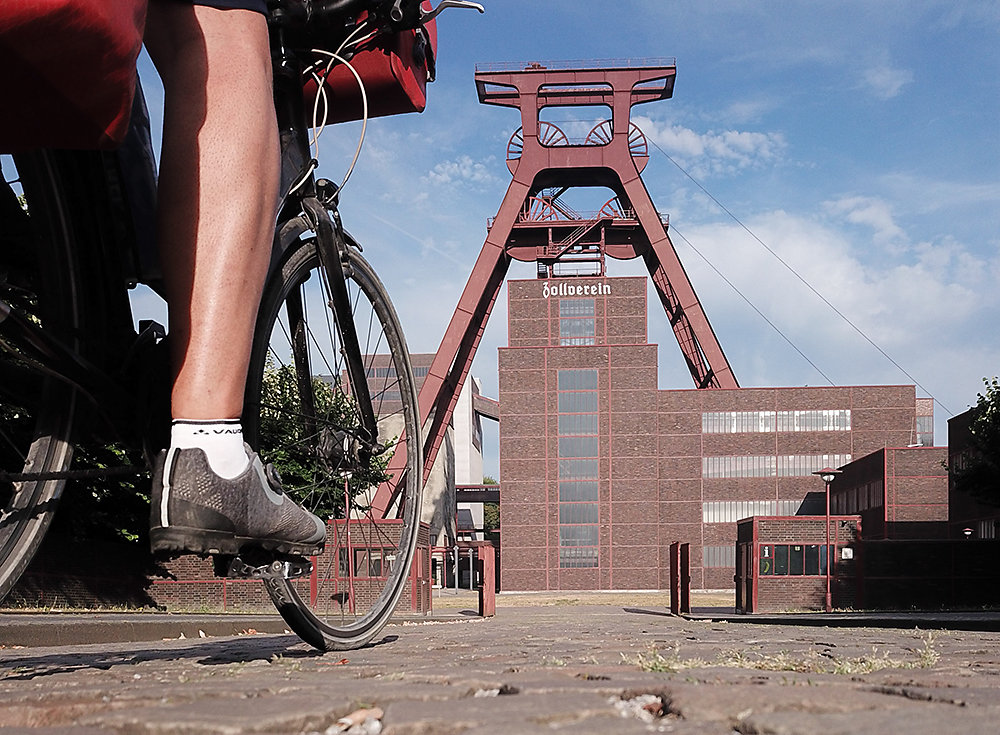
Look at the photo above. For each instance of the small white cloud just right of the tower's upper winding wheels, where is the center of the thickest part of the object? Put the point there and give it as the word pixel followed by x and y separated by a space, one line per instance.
pixel 712 152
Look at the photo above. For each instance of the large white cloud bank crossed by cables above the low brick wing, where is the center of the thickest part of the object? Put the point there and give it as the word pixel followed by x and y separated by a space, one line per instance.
pixel 928 308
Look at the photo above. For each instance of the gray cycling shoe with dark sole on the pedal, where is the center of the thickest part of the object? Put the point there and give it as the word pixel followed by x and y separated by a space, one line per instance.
pixel 195 510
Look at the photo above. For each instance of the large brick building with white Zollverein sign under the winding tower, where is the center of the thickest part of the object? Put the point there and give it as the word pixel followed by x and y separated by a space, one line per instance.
pixel 601 470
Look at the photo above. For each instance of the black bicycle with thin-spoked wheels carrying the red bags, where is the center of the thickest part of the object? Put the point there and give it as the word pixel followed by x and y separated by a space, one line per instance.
pixel 330 394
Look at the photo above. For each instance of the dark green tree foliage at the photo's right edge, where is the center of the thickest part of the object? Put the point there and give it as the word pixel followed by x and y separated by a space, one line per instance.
pixel 978 474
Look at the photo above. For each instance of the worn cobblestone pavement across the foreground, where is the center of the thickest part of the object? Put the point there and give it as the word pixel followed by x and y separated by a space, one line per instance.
pixel 574 669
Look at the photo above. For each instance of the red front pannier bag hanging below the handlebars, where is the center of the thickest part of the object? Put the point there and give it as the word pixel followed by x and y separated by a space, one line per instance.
pixel 395 74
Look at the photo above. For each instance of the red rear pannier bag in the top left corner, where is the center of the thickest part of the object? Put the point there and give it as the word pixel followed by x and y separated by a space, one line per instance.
pixel 67 71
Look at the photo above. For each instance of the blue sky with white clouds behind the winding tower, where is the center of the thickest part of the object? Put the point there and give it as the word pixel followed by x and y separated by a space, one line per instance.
pixel 859 141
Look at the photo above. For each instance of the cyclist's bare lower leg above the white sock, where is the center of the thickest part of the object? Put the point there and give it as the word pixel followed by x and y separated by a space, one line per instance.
pixel 217 195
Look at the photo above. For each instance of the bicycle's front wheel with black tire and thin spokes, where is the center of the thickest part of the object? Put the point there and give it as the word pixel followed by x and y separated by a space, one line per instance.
pixel 336 608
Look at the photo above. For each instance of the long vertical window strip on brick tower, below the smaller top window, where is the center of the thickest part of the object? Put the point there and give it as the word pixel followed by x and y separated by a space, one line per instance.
pixel 578 464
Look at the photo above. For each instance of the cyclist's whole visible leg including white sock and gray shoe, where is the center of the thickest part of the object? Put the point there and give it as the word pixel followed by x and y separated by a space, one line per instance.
pixel 217 198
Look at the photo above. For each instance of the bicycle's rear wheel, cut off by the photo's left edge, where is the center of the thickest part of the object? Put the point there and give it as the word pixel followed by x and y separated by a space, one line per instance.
pixel 39 278
